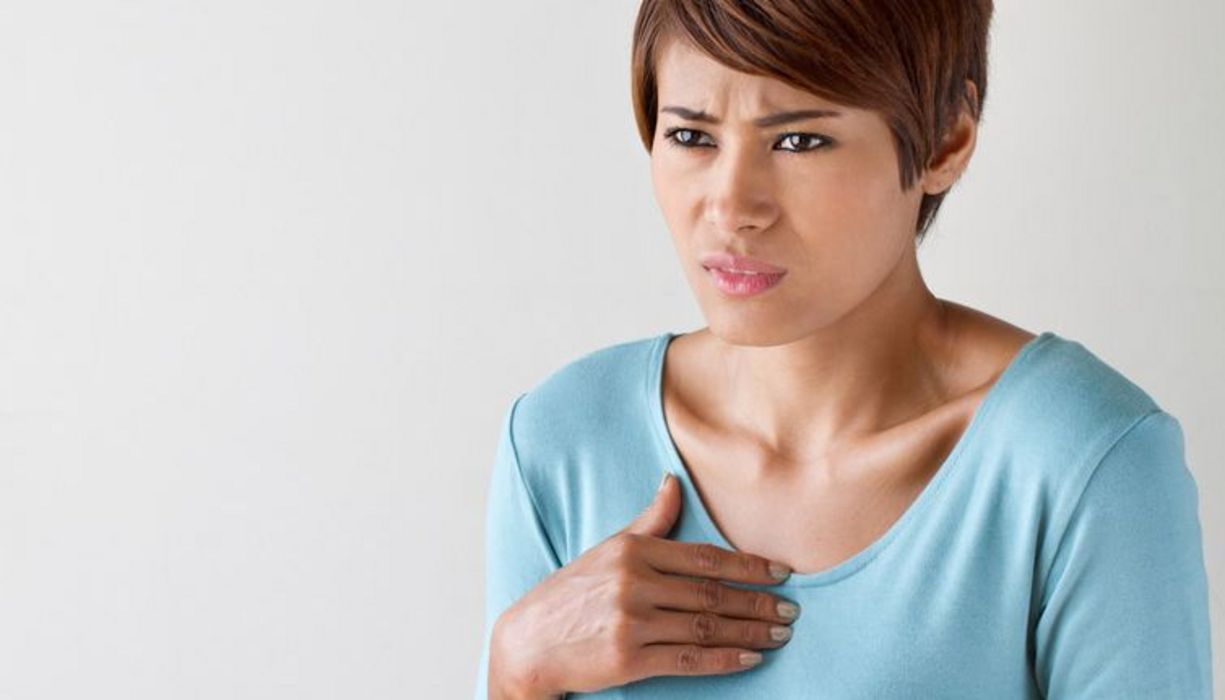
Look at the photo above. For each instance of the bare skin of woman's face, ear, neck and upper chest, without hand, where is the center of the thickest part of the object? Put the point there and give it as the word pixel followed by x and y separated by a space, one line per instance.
pixel 901 372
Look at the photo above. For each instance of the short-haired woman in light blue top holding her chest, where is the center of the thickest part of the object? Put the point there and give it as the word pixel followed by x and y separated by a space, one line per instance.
pixel 965 508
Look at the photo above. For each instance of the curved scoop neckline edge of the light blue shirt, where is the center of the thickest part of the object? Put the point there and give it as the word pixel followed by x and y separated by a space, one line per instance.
pixel 676 465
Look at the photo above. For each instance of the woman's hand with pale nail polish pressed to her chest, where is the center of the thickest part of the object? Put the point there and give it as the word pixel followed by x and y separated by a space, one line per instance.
pixel 638 605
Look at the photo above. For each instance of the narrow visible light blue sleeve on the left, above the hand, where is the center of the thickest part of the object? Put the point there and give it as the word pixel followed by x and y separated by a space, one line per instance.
pixel 519 554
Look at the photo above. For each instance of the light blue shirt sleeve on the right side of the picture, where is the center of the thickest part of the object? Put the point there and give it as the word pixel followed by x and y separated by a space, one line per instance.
pixel 1125 607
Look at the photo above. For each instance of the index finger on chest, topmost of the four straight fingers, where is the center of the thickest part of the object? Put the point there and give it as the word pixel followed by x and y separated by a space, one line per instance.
pixel 711 562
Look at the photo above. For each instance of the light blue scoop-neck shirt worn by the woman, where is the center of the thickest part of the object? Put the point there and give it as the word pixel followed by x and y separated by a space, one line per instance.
pixel 1055 554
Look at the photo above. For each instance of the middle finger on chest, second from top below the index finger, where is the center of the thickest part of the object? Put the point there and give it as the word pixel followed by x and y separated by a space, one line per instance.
pixel 707 595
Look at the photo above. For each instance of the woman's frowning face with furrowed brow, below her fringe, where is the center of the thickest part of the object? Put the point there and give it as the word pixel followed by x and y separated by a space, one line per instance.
pixel 820 197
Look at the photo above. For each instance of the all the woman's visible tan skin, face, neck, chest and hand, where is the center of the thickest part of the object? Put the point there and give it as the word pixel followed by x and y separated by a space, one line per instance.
pixel 901 373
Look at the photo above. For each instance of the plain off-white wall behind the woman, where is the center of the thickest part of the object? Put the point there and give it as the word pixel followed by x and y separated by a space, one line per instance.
pixel 271 273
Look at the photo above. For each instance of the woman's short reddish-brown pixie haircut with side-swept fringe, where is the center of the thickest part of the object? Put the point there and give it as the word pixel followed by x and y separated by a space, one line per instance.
pixel 910 61
